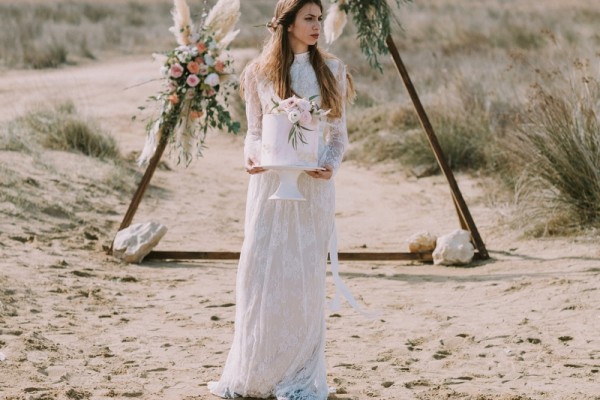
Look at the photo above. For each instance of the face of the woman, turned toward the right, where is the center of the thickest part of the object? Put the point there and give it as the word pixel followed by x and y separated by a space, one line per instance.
pixel 306 28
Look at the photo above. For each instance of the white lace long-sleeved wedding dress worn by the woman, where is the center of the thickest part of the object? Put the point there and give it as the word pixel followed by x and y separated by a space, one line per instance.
pixel 278 347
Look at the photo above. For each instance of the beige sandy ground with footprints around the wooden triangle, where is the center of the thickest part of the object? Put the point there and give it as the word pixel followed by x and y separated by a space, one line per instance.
pixel 77 324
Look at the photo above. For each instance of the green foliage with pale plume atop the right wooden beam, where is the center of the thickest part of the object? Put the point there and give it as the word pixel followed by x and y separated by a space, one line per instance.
pixel 372 19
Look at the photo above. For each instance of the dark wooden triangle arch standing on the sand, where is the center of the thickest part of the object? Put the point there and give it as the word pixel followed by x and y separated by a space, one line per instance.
pixel 464 216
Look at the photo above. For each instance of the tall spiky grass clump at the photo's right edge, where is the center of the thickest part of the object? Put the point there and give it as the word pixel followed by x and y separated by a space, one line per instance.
pixel 558 149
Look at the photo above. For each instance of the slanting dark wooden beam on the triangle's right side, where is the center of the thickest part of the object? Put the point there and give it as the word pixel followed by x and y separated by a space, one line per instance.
pixel 464 215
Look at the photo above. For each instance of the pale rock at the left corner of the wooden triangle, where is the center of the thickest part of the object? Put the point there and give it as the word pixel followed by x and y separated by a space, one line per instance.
pixel 134 243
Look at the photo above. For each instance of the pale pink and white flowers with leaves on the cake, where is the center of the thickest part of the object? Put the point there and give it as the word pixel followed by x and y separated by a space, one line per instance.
pixel 300 113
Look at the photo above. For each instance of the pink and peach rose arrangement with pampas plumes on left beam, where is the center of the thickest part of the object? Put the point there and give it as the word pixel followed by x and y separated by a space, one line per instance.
pixel 196 81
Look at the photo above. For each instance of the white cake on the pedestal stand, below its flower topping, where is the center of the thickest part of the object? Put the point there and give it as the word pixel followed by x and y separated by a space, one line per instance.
pixel 277 150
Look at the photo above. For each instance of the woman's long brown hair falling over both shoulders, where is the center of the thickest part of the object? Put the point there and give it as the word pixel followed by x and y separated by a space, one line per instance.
pixel 277 58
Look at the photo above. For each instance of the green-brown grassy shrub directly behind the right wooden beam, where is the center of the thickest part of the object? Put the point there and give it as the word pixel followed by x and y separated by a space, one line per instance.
pixel 467 130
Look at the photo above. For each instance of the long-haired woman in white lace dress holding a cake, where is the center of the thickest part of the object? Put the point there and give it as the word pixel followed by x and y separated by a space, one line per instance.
pixel 278 347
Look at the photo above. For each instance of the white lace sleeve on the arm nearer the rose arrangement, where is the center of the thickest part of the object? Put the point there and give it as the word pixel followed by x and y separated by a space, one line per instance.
pixel 252 141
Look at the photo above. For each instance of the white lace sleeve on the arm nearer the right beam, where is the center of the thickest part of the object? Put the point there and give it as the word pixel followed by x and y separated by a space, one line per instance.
pixel 337 136
